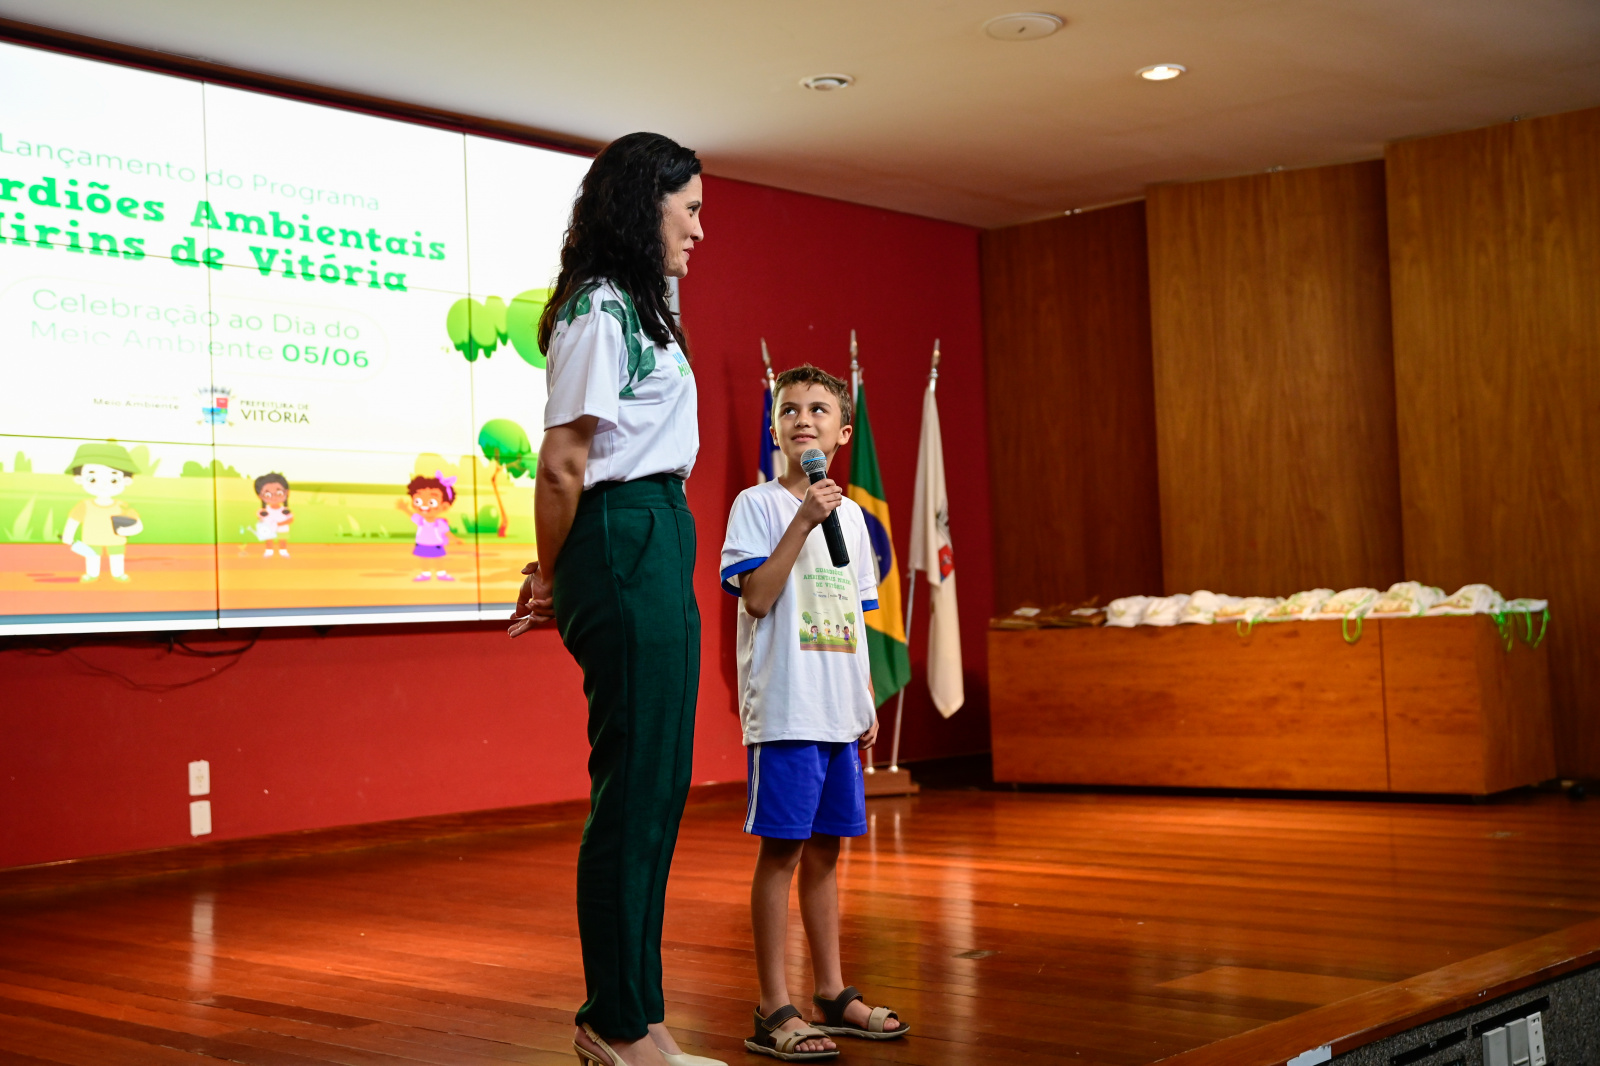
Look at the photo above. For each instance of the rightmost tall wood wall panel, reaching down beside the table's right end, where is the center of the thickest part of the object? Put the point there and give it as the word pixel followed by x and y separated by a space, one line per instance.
pixel 1495 241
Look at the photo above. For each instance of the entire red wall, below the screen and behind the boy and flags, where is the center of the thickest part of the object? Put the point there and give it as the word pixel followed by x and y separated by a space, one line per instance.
pixel 380 723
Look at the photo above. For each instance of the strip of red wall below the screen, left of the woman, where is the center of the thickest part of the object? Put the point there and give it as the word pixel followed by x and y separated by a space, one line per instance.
pixel 367 724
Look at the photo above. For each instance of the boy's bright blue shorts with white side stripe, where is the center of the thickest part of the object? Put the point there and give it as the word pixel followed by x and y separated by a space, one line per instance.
pixel 799 788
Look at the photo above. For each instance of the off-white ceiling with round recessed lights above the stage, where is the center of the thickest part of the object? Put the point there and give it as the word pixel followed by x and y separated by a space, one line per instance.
pixel 943 121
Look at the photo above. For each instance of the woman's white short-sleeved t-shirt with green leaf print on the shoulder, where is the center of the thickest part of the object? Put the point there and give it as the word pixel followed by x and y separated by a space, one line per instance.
pixel 644 396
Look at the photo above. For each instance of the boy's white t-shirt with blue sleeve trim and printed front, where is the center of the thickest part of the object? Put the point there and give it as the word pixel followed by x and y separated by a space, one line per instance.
pixel 804 671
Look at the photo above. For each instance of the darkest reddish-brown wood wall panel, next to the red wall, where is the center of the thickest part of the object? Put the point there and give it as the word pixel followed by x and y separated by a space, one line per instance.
pixel 1071 409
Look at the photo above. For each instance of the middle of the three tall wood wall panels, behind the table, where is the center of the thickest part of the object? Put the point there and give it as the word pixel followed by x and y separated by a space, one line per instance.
pixel 1274 382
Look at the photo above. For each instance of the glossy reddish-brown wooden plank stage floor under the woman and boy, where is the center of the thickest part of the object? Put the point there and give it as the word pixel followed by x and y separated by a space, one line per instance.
pixel 1006 928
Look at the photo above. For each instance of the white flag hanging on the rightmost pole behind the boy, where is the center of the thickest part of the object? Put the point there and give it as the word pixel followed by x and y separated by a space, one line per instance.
pixel 932 553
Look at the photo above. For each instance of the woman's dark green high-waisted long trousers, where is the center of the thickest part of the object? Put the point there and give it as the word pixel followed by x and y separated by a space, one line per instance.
pixel 625 604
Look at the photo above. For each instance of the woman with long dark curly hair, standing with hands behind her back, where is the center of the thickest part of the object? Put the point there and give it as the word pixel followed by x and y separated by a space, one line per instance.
pixel 617 559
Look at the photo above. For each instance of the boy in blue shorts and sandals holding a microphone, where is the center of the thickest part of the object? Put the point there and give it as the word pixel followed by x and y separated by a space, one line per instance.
pixel 806 703
